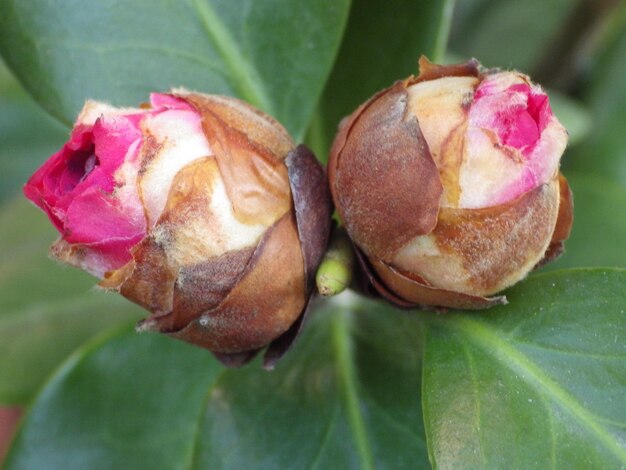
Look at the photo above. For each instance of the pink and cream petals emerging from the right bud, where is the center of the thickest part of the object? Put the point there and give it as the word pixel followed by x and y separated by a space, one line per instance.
pixel 515 115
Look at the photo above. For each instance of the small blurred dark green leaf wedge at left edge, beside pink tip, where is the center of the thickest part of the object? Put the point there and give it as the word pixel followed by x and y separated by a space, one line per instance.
pixel 27 135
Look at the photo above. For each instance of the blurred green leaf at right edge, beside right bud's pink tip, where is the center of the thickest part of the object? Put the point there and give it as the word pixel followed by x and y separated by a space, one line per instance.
pixel 604 152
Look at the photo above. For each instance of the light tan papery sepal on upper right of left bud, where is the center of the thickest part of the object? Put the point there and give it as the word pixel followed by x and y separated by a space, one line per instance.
pixel 249 148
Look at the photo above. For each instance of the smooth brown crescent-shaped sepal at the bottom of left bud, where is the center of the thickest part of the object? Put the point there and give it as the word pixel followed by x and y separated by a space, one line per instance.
pixel 255 311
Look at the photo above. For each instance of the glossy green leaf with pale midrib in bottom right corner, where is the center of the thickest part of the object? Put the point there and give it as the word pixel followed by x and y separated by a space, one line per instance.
pixel 538 383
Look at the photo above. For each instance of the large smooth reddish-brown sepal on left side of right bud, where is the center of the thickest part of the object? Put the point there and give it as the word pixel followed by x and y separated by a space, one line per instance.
pixel 383 136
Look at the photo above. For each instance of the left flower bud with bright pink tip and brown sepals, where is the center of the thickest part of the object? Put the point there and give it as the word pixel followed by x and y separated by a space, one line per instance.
pixel 199 208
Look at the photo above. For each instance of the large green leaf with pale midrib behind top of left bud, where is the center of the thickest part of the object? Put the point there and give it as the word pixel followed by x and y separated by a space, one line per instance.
pixel 275 54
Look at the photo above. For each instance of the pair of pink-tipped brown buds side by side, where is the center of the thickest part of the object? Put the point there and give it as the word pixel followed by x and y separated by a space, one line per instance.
pixel 204 211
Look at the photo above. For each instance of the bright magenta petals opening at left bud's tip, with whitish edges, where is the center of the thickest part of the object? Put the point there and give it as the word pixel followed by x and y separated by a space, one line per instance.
pixel 89 188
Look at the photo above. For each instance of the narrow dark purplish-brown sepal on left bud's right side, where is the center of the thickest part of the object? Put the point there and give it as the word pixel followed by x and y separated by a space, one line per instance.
pixel 313 207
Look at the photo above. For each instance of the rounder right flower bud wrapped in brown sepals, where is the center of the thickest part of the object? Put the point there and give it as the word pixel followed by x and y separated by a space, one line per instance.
pixel 448 185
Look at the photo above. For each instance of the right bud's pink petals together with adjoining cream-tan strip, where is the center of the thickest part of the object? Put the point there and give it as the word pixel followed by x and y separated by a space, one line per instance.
pixel 493 137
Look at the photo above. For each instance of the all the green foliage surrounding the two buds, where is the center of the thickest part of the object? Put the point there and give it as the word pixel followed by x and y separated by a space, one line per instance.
pixel 539 382
